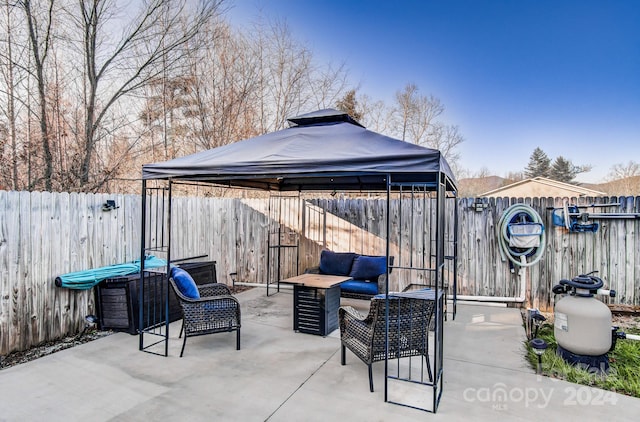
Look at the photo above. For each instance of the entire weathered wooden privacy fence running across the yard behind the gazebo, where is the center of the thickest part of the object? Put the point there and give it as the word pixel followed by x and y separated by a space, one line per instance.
pixel 43 235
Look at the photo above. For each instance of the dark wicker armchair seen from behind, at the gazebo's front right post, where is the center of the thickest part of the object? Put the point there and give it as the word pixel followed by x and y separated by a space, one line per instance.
pixel 409 322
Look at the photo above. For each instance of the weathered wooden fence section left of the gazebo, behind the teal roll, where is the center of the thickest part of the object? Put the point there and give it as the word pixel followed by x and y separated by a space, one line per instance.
pixel 43 235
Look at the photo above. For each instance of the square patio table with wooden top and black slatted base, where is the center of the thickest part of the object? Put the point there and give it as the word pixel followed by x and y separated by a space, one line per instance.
pixel 316 299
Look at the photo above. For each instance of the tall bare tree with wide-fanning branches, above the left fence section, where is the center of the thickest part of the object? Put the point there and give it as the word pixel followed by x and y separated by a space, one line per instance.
pixel 153 41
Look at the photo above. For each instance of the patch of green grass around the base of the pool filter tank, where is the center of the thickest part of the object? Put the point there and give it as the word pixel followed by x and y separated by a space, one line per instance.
pixel 624 361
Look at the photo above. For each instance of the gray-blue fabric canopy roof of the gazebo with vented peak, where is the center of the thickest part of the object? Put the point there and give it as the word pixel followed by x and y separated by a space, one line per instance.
pixel 322 150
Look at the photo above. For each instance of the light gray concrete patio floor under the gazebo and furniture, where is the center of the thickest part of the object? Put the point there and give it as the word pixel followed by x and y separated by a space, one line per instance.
pixel 281 375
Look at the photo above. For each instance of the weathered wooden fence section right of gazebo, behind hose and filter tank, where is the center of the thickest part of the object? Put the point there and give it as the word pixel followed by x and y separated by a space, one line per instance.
pixel 613 251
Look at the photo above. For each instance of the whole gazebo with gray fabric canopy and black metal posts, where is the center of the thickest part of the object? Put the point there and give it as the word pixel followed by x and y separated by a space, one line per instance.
pixel 328 151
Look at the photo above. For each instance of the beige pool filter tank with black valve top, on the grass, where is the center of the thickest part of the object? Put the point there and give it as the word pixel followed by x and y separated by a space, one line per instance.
pixel 582 325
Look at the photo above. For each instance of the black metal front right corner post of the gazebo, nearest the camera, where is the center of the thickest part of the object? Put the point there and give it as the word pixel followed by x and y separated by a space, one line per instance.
pixel 410 382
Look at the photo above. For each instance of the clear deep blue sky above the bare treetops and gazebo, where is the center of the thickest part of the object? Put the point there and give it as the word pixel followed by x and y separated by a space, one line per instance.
pixel 513 75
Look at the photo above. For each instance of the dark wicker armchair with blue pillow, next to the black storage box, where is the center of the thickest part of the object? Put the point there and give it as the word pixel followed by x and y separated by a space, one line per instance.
pixel 216 311
